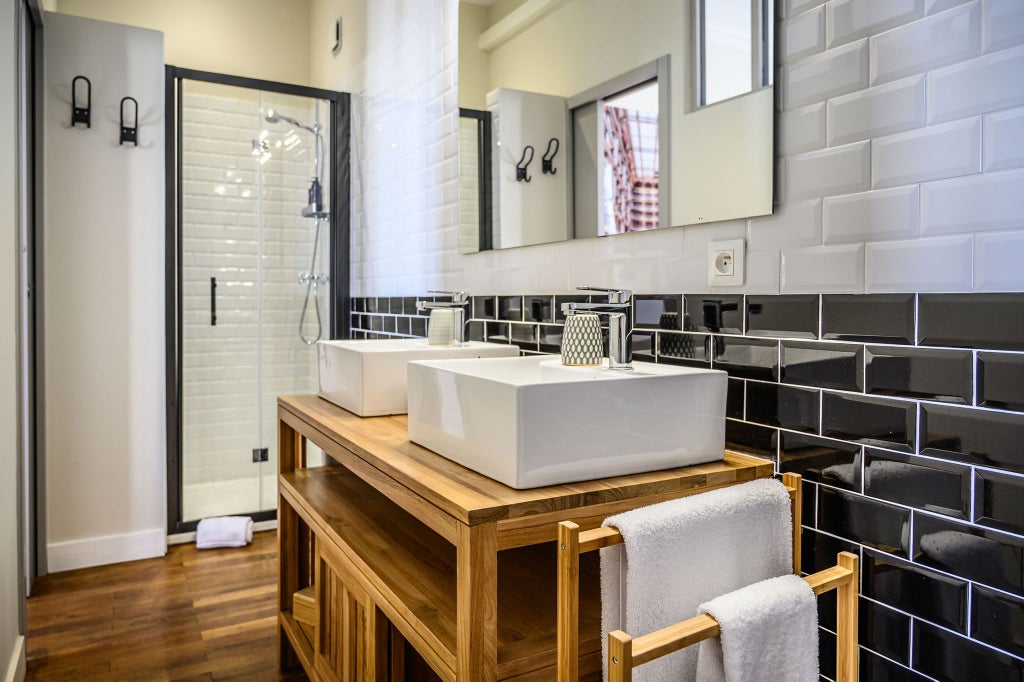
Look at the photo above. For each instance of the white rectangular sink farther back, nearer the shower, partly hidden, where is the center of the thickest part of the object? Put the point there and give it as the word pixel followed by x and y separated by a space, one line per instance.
pixel 368 376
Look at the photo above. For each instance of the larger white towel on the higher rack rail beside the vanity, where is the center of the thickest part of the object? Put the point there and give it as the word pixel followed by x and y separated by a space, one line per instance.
pixel 678 555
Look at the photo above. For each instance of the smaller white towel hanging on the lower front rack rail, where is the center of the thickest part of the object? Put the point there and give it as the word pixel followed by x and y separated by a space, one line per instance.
pixel 770 632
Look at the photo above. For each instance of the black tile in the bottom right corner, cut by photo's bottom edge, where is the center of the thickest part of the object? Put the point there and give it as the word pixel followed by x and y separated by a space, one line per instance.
pixel 948 657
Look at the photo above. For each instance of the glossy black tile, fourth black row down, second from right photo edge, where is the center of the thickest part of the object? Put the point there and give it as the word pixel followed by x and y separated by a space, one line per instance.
pixel 917 482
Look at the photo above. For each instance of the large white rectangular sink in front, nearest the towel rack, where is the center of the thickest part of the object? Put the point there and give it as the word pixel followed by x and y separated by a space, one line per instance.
pixel 531 421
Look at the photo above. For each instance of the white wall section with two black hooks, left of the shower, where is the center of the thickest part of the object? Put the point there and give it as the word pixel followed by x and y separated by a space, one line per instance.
pixel 104 289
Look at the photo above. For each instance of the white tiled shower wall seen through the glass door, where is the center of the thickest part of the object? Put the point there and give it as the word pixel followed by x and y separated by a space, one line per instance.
pixel 222 399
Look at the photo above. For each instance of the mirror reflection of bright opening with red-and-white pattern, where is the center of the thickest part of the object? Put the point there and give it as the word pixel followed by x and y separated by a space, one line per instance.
pixel 630 162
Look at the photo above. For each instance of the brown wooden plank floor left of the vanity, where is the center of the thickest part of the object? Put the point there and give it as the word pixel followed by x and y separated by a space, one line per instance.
pixel 193 615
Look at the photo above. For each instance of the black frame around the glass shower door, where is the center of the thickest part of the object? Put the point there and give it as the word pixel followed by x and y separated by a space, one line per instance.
pixel 340 201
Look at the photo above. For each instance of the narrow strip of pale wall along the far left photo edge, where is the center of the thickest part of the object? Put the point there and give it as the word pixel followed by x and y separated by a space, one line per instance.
pixel 12 642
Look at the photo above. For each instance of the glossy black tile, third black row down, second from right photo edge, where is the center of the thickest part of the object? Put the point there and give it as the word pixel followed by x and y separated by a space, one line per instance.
pixel 872 421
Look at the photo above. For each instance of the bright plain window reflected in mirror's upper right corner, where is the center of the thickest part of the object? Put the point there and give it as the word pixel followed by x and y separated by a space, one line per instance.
pixel 734 45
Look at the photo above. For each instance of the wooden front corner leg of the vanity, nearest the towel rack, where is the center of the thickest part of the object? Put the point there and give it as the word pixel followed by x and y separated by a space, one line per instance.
pixel 478 604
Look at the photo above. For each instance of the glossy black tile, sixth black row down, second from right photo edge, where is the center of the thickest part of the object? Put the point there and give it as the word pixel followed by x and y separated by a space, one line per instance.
pixel 917 591
